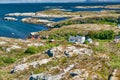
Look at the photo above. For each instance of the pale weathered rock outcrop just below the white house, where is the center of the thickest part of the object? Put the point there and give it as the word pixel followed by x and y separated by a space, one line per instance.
pixel 68 51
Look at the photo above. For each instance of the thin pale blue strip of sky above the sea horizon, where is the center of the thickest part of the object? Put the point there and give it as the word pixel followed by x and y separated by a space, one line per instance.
pixel 40 1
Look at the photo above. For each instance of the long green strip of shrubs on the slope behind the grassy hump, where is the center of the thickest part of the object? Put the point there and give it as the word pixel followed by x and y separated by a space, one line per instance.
pixel 100 20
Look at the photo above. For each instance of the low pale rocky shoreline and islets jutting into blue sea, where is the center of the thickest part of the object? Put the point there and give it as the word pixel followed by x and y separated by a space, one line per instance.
pixel 33 17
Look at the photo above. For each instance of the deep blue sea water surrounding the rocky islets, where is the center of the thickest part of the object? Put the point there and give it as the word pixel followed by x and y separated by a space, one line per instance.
pixel 18 29
